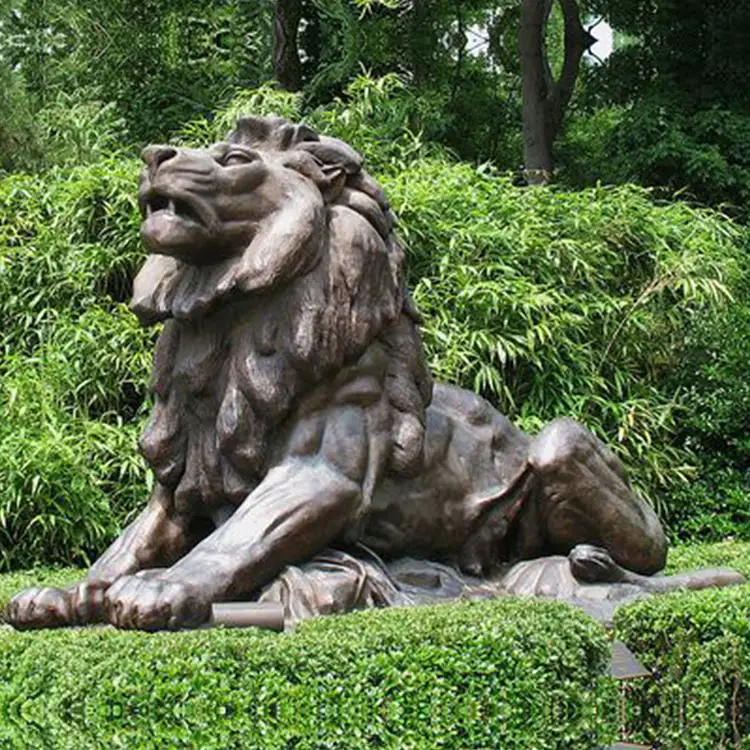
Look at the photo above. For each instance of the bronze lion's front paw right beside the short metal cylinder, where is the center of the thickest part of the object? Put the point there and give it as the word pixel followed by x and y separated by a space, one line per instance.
pixel 137 602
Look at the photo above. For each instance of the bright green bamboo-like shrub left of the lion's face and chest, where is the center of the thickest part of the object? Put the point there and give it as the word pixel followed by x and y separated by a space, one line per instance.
pixel 73 362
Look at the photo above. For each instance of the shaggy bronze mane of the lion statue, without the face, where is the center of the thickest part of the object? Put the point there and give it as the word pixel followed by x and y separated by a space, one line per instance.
pixel 231 365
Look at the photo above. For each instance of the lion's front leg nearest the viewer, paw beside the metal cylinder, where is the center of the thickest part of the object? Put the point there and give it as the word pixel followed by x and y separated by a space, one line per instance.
pixel 299 509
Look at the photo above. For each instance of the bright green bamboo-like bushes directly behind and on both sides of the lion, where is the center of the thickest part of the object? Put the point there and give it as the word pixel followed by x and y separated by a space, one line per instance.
pixel 547 302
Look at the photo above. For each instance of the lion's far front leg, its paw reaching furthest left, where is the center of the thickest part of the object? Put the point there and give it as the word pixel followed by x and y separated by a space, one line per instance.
pixel 157 537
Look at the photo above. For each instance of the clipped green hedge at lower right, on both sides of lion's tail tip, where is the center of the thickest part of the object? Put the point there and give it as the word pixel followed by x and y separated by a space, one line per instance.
pixel 697 646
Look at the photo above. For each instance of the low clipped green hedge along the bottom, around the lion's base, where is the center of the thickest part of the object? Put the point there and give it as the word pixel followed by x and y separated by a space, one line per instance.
pixel 502 674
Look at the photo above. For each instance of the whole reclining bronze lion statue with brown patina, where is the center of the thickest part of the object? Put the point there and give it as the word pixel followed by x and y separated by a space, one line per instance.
pixel 301 451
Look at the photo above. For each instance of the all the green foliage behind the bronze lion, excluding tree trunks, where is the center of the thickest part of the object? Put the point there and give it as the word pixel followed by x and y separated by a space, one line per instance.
pixel 618 296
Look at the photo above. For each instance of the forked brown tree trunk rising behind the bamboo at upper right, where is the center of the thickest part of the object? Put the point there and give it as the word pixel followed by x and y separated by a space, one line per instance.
pixel 544 99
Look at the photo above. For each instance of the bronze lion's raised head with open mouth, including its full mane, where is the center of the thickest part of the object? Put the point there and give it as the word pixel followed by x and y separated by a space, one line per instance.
pixel 274 264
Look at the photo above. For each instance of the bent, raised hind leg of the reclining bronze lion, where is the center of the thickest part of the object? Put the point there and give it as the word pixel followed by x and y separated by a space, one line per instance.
pixel 583 497
